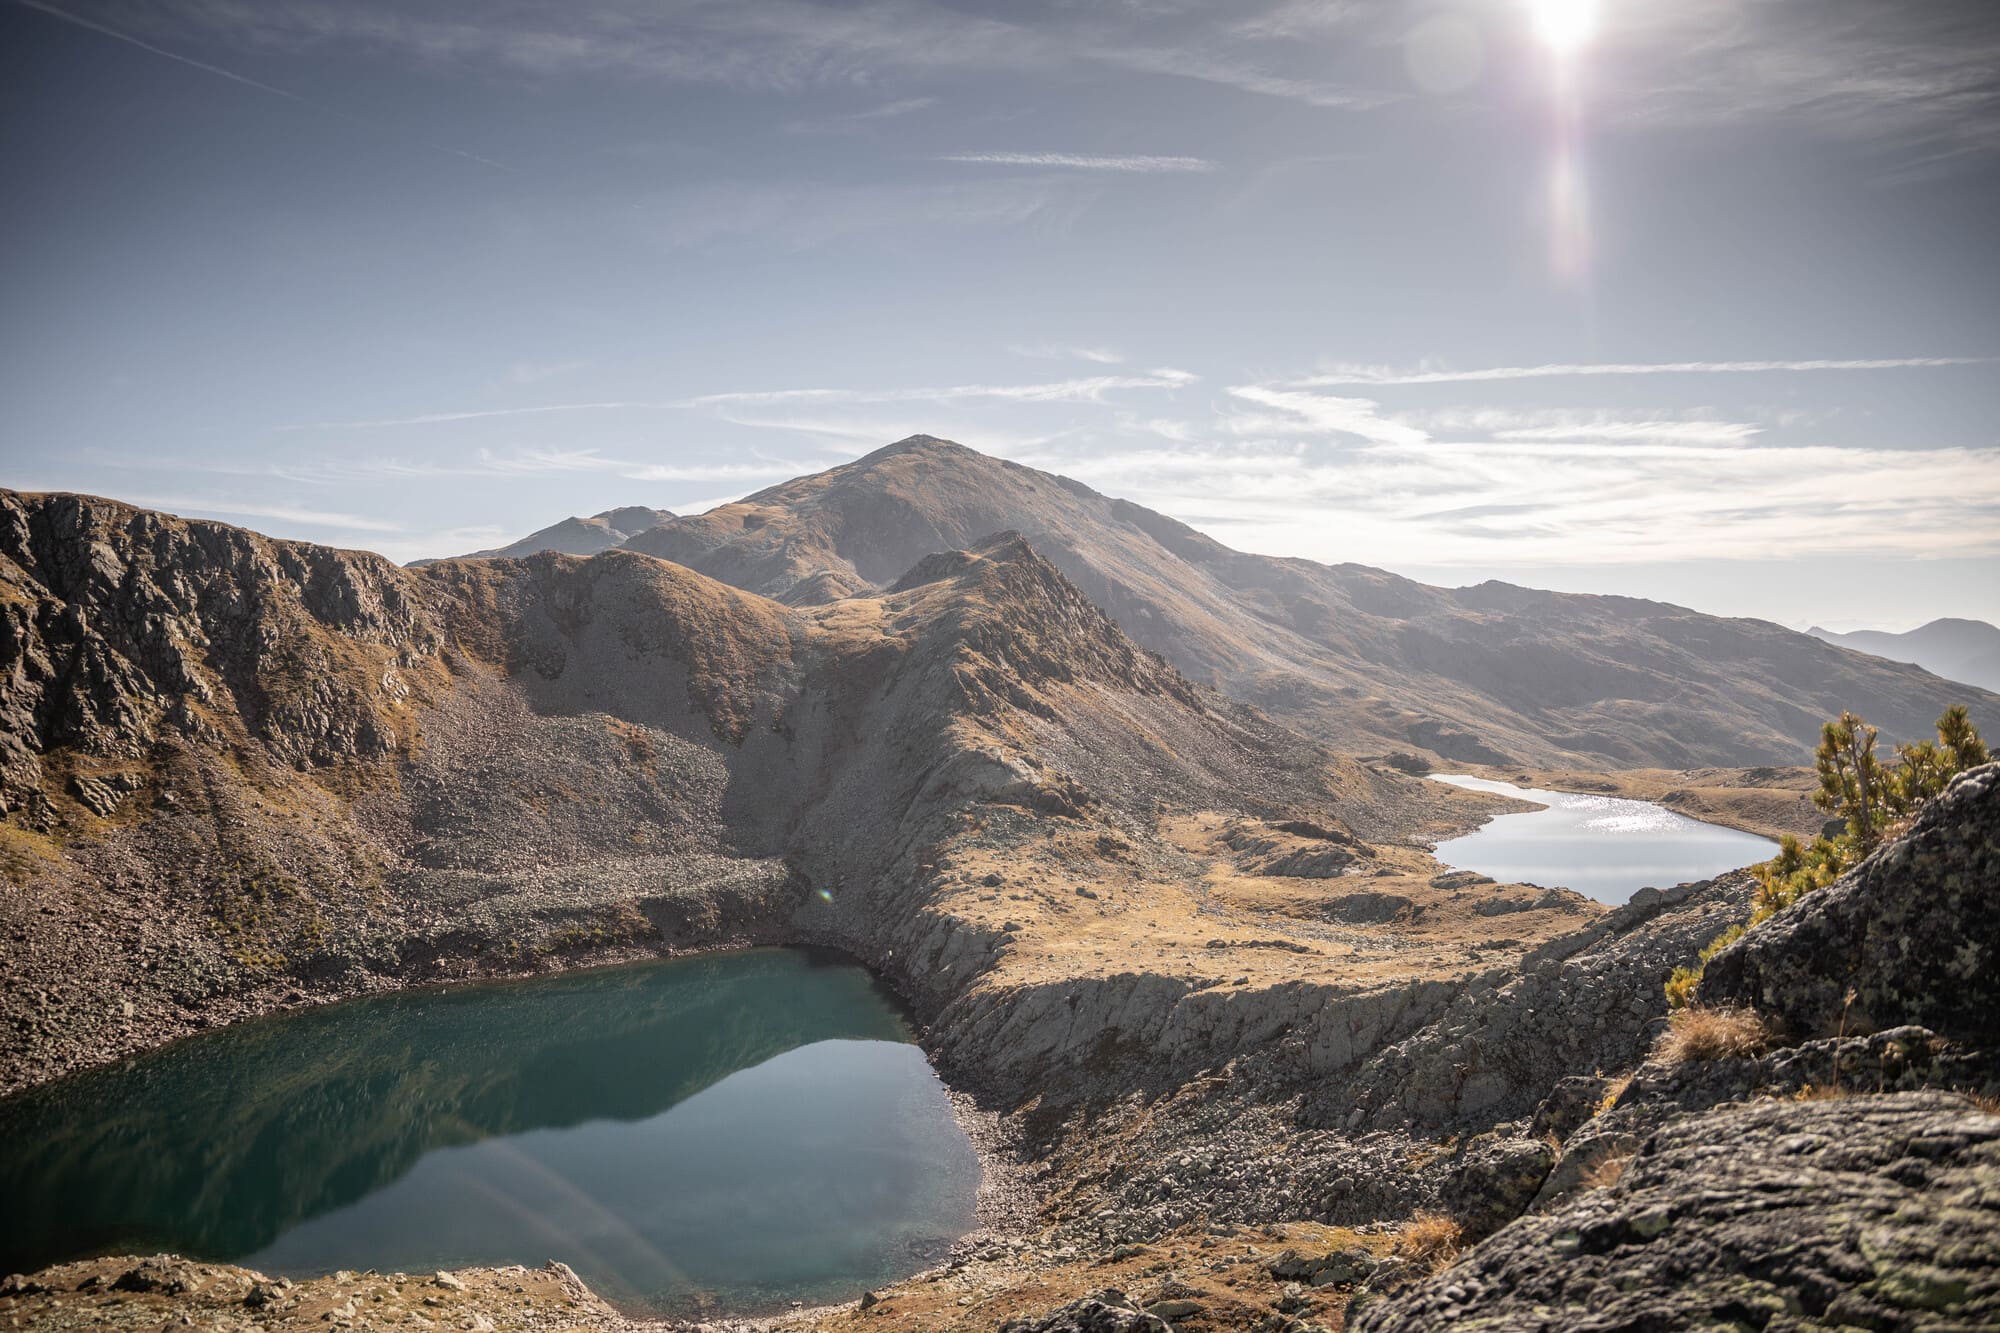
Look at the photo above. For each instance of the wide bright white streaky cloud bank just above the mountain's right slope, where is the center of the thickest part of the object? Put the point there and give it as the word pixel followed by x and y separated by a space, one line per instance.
pixel 1545 487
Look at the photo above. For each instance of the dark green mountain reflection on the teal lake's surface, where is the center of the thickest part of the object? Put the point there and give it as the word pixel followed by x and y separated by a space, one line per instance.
pixel 221 1144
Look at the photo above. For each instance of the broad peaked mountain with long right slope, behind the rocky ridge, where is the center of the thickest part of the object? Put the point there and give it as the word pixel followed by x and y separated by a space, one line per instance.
pixel 1357 657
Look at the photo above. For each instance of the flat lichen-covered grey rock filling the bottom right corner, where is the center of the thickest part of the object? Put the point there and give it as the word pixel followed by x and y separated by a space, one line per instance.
pixel 1865 1212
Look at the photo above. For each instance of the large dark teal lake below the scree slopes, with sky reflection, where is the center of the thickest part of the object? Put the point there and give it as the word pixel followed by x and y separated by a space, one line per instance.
pixel 731 1132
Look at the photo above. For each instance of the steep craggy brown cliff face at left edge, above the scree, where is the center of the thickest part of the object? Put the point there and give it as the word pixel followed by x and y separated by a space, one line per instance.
pixel 121 625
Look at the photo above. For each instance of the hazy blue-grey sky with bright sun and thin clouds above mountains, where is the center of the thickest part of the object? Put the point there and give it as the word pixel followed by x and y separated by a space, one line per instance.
pixel 1681 299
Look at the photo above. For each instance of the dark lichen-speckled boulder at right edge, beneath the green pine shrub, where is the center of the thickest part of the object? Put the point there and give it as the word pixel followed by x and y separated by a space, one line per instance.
pixel 1913 934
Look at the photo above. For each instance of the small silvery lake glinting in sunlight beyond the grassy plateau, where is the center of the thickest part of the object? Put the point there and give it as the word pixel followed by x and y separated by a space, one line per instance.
pixel 1605 848
